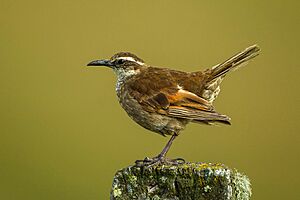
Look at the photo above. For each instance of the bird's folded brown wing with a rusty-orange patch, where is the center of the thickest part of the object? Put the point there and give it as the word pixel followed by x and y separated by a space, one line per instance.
pixel 164 95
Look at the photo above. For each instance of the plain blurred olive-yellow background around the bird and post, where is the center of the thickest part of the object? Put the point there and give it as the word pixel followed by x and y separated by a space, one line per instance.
pixel 63 134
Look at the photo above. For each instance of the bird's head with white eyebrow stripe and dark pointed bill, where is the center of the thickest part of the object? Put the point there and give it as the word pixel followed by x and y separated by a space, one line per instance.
pixel 124 64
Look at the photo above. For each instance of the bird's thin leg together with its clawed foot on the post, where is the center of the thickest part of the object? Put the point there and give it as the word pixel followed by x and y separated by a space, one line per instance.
pixel 161 158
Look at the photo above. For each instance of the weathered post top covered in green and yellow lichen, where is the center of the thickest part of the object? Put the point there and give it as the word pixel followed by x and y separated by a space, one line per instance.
pixel 189 181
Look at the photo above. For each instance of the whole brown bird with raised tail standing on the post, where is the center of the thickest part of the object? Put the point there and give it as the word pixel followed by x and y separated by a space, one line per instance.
pixel 164 100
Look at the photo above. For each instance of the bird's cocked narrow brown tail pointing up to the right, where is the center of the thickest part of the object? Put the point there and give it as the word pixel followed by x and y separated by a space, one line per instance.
pixel 234 62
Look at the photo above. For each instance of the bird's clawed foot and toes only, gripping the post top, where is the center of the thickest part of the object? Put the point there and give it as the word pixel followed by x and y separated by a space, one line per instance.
pixel 148 162
